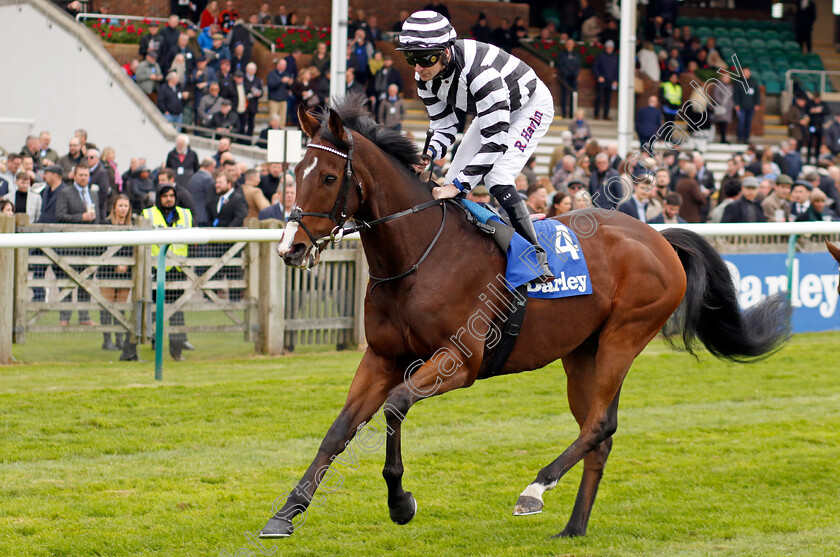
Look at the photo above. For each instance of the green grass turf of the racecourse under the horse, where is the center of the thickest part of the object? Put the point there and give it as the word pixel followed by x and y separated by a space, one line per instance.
pixel 709 458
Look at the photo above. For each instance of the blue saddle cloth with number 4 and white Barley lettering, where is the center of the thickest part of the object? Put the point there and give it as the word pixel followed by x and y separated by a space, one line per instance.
pixel 565 258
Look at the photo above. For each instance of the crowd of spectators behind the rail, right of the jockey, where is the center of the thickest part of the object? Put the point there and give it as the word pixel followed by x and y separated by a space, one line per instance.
pixel 760 185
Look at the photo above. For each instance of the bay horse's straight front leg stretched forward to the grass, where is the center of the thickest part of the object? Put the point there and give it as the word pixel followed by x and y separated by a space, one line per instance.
pixel 374 378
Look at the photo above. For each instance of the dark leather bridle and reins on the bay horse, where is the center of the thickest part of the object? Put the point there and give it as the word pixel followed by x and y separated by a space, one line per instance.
pixel 338 214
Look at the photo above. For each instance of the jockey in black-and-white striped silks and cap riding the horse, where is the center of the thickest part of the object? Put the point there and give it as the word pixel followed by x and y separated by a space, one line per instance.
pixel 513 109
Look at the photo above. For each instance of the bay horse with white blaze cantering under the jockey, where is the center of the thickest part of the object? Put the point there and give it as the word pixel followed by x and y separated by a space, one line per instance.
pixel 444 270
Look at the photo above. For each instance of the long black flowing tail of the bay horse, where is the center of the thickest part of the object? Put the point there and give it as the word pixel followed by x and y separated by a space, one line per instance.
pixel 709 311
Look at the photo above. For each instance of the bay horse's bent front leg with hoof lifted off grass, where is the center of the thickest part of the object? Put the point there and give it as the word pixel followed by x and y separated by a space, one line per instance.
pixel 442 374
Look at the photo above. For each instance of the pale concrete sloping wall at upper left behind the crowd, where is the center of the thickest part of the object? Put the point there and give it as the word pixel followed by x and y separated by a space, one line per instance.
pixel 59 77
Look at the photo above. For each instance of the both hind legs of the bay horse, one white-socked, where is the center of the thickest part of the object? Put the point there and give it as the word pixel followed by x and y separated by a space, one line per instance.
pixel 595 375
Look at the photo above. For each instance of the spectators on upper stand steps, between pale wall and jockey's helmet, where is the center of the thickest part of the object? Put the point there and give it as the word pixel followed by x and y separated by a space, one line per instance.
pixel 200 71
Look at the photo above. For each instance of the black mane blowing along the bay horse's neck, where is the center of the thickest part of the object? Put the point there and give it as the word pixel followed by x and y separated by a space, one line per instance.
pixel 357 118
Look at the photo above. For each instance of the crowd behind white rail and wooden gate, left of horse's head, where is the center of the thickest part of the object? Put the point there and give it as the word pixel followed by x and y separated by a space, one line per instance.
pixel 85 186
